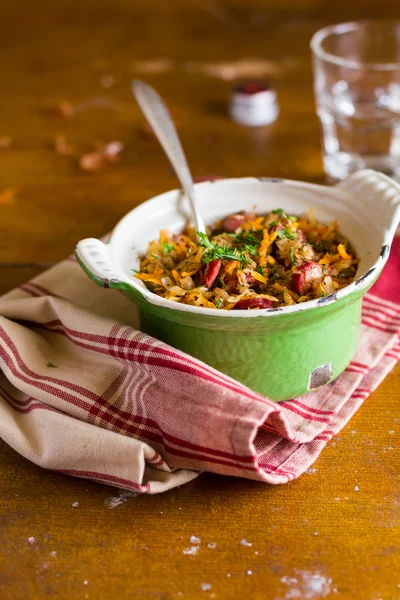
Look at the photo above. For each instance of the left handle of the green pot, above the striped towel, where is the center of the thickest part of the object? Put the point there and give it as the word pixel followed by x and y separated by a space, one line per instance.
pixel 94 258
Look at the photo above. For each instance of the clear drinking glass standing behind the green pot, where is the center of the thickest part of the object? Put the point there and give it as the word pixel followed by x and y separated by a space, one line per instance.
pixel 357 93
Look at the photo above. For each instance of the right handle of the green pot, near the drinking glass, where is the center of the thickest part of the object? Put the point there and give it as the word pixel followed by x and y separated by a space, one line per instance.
pixel 378 196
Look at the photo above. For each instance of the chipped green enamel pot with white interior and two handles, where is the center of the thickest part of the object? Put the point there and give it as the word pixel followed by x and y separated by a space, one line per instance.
pixel 282 352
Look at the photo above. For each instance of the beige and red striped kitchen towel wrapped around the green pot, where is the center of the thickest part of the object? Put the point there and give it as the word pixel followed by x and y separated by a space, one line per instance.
pixel 84 392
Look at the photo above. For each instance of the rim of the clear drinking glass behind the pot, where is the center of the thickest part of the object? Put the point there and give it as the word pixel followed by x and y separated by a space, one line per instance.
pixel 340 28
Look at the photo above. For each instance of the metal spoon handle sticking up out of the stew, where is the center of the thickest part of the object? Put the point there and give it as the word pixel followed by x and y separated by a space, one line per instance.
pixel 158 116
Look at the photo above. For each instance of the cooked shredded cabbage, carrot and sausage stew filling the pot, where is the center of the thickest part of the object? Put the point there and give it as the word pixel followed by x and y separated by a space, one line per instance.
pixel 250 262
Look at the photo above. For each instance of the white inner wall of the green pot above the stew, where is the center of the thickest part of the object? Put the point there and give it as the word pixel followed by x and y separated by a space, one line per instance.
pixel 217 199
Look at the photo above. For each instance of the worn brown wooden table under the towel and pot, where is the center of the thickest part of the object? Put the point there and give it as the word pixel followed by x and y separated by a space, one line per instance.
pixel 337 527
